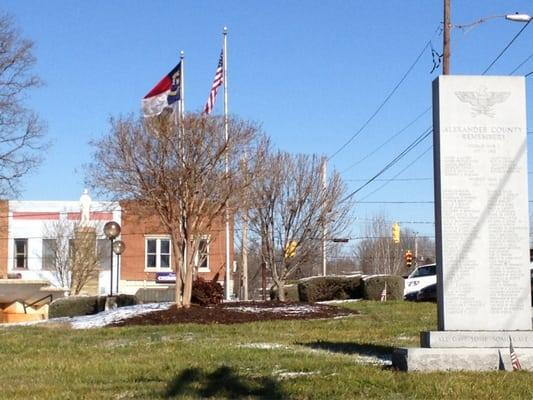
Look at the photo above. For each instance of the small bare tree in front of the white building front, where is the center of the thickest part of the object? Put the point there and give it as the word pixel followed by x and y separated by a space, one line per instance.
pixel 71 254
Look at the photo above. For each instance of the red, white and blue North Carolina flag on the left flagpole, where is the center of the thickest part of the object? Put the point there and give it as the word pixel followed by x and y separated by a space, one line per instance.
pixel 164 94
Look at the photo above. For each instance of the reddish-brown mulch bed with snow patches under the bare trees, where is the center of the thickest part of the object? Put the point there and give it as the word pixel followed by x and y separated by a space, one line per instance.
pixel 236 313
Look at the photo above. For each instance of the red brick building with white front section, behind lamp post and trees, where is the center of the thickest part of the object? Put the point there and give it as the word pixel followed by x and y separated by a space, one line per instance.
pixel 25 238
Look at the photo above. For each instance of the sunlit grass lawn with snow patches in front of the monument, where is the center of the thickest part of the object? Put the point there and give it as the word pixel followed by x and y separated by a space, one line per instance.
pixel 320 359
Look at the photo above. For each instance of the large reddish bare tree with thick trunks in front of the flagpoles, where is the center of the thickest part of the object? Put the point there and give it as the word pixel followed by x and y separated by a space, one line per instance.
pixel 179 174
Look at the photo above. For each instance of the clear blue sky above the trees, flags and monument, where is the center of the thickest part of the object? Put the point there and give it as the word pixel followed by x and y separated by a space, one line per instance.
pixel 311 72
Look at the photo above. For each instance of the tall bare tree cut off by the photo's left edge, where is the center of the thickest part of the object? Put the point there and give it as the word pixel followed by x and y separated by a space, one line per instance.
pixel 20 128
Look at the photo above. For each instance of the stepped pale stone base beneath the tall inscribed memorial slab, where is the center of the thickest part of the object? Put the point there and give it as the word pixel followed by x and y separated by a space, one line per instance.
pixel 466 351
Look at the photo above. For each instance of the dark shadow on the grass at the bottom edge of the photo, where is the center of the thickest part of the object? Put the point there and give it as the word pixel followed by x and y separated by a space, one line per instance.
pixel 222 383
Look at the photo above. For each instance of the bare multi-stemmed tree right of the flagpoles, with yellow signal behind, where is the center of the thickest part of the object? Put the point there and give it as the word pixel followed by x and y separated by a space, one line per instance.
pixel 290 206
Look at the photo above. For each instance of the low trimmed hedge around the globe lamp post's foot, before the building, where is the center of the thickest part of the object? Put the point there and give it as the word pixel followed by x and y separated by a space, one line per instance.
pixel 74 306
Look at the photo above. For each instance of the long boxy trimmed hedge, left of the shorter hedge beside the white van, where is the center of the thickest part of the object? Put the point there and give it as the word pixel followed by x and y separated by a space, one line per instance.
pixel 330 288
